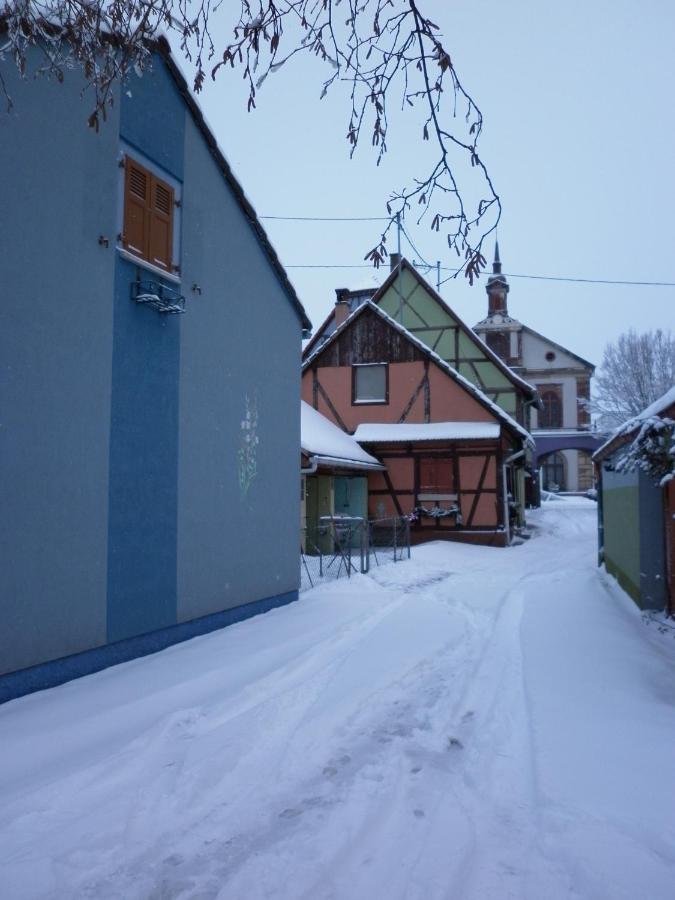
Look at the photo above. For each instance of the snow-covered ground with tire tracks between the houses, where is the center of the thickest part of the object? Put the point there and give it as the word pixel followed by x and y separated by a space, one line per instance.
pixel 473 724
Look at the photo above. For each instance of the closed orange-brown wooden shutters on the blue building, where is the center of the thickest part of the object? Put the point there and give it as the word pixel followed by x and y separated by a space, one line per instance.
pixel 148 215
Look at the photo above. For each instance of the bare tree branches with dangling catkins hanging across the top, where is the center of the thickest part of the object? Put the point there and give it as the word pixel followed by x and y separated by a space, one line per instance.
pixel 384 50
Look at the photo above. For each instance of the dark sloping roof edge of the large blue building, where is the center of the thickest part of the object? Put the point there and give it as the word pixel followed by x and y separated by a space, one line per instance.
pixel 161 45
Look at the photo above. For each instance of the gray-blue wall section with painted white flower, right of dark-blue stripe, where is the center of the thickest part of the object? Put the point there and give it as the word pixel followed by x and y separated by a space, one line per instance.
pixel 240 340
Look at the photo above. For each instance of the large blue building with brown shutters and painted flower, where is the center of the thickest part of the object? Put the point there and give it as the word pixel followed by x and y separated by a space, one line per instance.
pixel 149 464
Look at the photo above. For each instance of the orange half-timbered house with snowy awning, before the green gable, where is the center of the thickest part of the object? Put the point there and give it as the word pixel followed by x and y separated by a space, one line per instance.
pixel 453 457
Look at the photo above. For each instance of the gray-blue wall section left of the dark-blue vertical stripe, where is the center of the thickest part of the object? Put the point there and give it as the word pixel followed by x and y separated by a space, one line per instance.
pixel 58 195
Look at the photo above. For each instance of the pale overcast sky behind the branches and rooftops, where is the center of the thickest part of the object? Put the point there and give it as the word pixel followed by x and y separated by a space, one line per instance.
pixel 579 141
